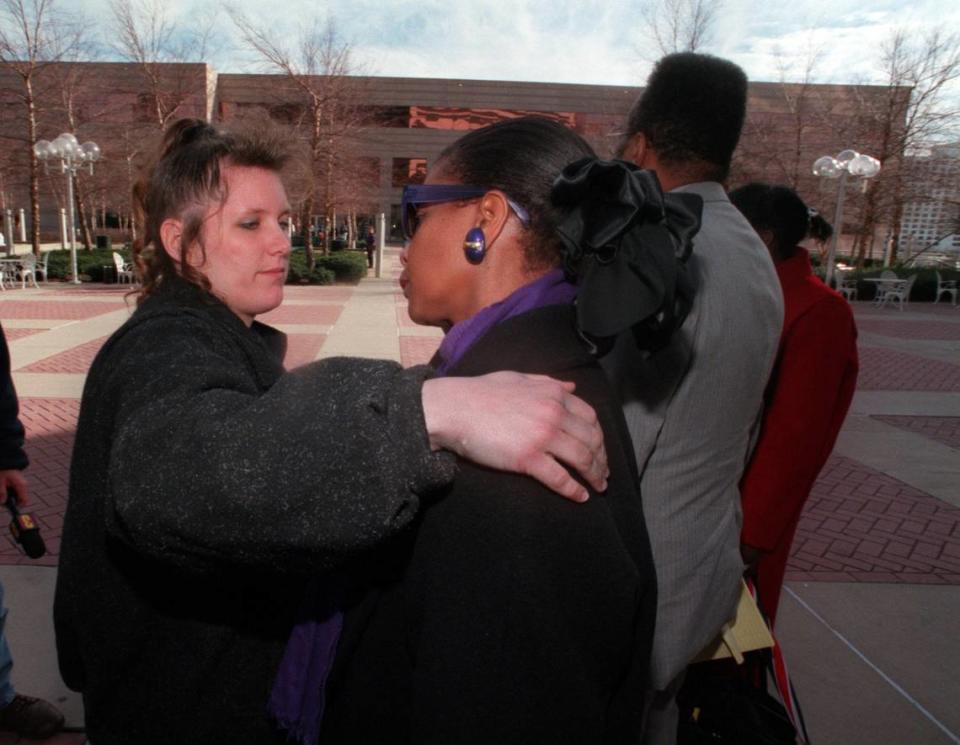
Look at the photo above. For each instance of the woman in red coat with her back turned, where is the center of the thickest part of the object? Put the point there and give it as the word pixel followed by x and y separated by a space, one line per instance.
pixel 810 389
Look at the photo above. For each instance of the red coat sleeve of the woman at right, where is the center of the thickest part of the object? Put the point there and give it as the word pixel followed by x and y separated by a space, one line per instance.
pixel 807 402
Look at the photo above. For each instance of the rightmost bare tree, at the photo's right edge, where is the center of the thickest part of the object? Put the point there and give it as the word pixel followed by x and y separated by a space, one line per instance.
pixel 914 113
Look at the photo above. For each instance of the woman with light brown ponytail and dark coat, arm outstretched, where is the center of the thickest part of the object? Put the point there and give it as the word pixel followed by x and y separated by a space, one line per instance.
pixel 207 484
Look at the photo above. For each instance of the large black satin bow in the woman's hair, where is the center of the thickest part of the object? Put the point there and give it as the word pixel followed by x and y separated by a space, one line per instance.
pixel 628 244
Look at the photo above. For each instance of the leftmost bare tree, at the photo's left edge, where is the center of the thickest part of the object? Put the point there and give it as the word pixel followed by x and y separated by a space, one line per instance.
pixel 33 35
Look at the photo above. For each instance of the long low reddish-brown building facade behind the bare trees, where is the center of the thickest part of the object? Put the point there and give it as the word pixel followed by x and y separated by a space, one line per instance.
pixel 398 127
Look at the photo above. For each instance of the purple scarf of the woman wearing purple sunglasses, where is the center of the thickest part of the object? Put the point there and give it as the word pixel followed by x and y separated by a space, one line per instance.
pixel 298 696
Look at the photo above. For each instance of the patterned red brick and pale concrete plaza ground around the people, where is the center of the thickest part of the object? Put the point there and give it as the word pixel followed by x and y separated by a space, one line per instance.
pixel 868 621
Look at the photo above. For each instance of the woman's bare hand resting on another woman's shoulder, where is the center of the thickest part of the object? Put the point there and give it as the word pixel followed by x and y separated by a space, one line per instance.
pixel 529 424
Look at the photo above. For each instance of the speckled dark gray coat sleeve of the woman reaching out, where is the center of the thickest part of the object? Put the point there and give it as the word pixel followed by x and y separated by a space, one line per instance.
pixel 207 469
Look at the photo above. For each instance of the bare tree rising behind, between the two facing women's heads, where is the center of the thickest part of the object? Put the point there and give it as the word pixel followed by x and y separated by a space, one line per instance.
pixel 321 104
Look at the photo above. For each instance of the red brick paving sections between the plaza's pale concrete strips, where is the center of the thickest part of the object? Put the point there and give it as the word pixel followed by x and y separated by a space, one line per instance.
pixel 309 312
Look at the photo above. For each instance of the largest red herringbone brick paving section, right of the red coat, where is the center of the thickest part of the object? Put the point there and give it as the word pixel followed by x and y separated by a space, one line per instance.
pixel 911 539
